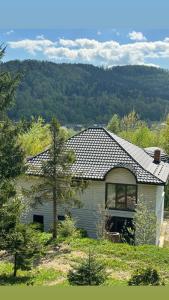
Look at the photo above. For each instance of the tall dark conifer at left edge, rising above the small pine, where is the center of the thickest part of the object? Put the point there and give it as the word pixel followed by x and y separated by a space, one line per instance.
pixel 11 155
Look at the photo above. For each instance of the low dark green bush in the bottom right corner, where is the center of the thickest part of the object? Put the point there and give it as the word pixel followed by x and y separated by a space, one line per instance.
pixel 146 276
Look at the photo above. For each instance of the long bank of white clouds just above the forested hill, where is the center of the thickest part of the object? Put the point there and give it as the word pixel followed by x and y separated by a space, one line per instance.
pixel 108 53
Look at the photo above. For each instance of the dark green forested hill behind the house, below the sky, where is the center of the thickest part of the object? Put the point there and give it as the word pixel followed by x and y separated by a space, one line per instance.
pixel 78 93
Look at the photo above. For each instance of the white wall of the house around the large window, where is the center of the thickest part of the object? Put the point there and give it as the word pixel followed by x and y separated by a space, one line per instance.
pixel 93 202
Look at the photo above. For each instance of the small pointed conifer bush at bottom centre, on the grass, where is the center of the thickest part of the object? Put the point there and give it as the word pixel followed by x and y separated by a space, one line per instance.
pixel 90 272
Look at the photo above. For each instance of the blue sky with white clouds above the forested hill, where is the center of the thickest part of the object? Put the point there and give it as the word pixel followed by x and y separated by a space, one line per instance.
pixel 104 33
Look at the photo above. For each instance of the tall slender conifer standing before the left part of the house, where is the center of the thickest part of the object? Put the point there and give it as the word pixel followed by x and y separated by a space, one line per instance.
pixel 57 183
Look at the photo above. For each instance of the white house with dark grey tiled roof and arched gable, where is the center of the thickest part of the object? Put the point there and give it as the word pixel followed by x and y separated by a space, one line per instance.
pixel 119 174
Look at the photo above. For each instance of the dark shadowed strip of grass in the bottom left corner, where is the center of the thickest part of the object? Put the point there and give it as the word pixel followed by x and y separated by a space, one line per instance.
pixel 11 280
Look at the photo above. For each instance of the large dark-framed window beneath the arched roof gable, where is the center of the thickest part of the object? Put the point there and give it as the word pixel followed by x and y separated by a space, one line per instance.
pixel 121 196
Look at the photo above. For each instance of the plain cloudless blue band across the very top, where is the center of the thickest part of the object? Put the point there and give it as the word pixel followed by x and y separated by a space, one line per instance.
pixel 84 13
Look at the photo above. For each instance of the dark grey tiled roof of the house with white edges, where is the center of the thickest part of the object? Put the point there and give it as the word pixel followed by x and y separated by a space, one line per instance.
pixel 98 151
